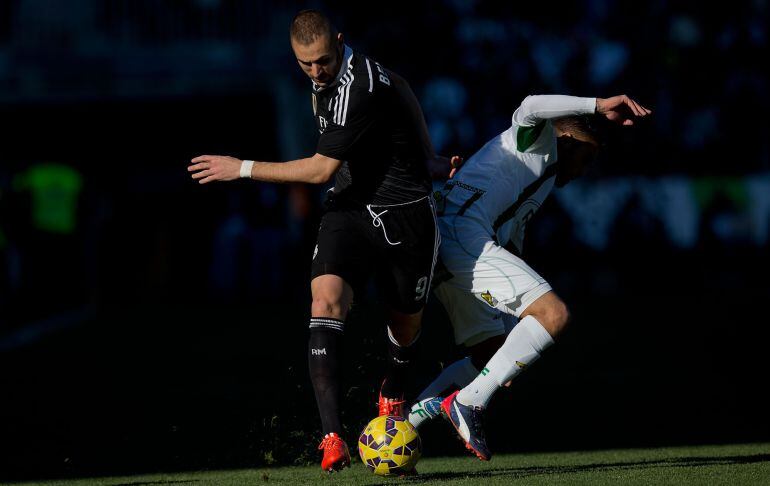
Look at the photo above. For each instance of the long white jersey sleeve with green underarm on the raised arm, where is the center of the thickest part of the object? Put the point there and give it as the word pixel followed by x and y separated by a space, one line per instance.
pixel 532 117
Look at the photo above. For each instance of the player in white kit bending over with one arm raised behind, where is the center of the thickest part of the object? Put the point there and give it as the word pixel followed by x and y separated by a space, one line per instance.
pixel 483 213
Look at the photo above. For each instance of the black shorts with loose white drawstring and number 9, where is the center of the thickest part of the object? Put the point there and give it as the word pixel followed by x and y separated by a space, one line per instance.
pixel 397 244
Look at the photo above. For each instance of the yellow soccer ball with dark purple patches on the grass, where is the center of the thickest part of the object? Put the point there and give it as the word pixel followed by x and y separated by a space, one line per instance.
pixel 389 445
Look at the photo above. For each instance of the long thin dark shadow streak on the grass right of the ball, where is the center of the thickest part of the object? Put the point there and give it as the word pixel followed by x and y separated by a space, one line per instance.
pixel 523 472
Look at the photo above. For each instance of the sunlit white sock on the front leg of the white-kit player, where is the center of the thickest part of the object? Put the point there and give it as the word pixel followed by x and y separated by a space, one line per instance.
pixel 521 348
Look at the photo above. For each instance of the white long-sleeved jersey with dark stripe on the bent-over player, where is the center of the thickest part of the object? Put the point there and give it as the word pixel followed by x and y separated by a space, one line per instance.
pixel 503 184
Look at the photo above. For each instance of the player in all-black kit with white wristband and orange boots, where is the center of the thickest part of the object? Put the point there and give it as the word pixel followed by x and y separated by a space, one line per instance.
pixel 379 220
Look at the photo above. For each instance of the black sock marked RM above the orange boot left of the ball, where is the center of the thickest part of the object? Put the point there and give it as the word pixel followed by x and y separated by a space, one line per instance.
pixel 325 335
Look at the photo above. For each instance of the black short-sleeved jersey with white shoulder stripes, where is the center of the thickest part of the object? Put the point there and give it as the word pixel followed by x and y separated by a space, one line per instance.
pixel 366 123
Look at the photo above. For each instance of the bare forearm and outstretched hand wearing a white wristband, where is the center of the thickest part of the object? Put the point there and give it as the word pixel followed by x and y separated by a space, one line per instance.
pixel 317 169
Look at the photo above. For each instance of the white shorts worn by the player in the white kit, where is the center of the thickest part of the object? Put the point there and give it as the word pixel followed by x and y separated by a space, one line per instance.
pixel 488 285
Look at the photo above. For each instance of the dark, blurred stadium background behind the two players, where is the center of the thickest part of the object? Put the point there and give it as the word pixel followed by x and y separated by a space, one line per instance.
pixel 149 323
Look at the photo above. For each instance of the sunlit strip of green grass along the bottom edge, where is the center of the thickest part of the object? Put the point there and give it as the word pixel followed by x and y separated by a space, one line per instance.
pixel 743 464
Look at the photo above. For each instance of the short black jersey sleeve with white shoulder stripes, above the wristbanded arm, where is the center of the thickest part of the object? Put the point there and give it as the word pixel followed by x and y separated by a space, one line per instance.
pixel 353 115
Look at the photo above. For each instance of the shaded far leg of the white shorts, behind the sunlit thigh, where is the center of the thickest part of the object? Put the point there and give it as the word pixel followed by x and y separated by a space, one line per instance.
pixel 472 320
